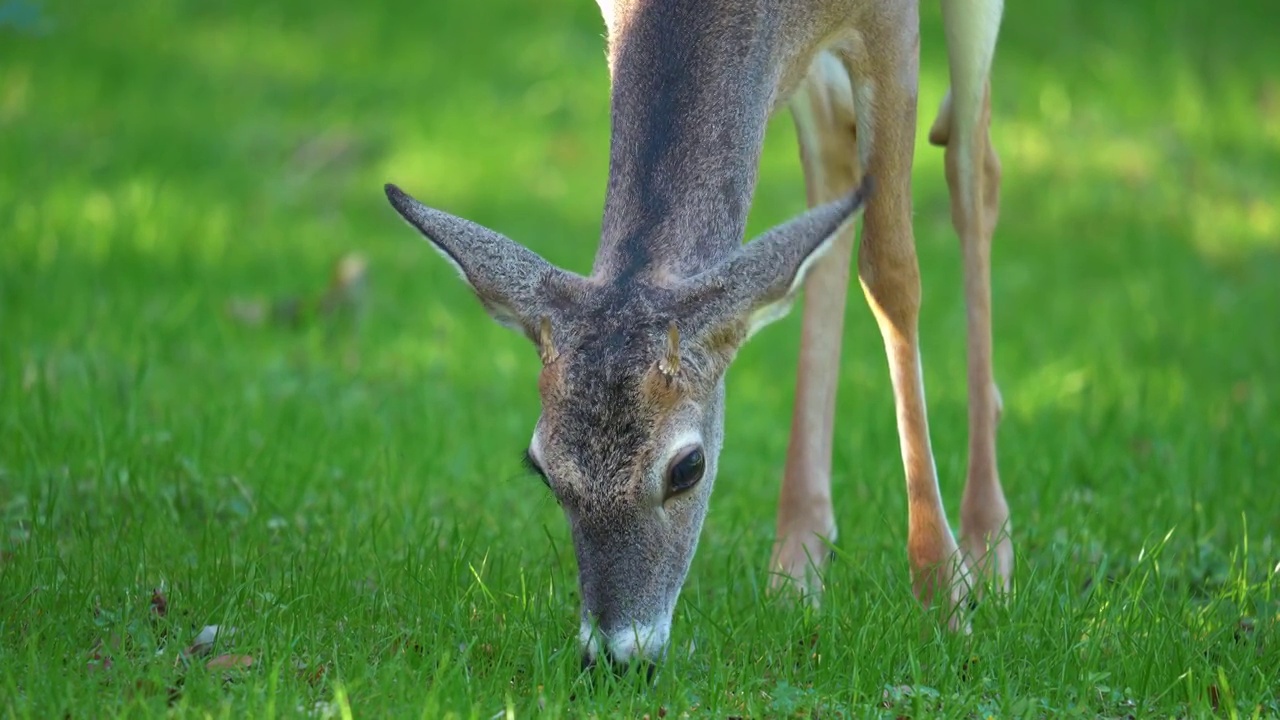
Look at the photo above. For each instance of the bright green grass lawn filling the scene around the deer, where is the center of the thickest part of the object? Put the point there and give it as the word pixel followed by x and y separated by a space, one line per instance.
pixel 349 496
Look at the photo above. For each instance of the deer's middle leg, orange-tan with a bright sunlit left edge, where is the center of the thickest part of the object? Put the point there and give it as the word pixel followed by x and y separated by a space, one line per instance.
pixel 885 93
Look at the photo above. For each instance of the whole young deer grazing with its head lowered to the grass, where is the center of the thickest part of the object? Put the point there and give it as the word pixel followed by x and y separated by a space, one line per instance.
pixel 636 354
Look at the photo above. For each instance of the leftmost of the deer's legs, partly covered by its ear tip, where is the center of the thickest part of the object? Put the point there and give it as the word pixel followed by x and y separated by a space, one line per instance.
pixel 822 110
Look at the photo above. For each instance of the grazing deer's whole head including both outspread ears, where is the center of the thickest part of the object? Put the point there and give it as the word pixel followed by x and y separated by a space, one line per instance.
pixel 633 399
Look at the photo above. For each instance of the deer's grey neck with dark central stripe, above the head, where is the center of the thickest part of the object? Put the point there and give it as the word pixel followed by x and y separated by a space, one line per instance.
pixel 692 93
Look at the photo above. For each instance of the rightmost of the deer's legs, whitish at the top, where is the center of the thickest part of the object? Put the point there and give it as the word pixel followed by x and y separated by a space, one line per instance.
pixel 973 179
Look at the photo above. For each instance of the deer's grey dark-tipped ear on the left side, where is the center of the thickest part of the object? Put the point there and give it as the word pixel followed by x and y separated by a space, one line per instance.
pixel 515 285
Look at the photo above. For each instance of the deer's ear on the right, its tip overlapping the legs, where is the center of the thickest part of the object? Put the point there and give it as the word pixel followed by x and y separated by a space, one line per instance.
pixel 758 284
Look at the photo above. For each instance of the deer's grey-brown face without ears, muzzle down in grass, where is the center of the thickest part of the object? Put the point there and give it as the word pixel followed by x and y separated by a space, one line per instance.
pixel 629 441
